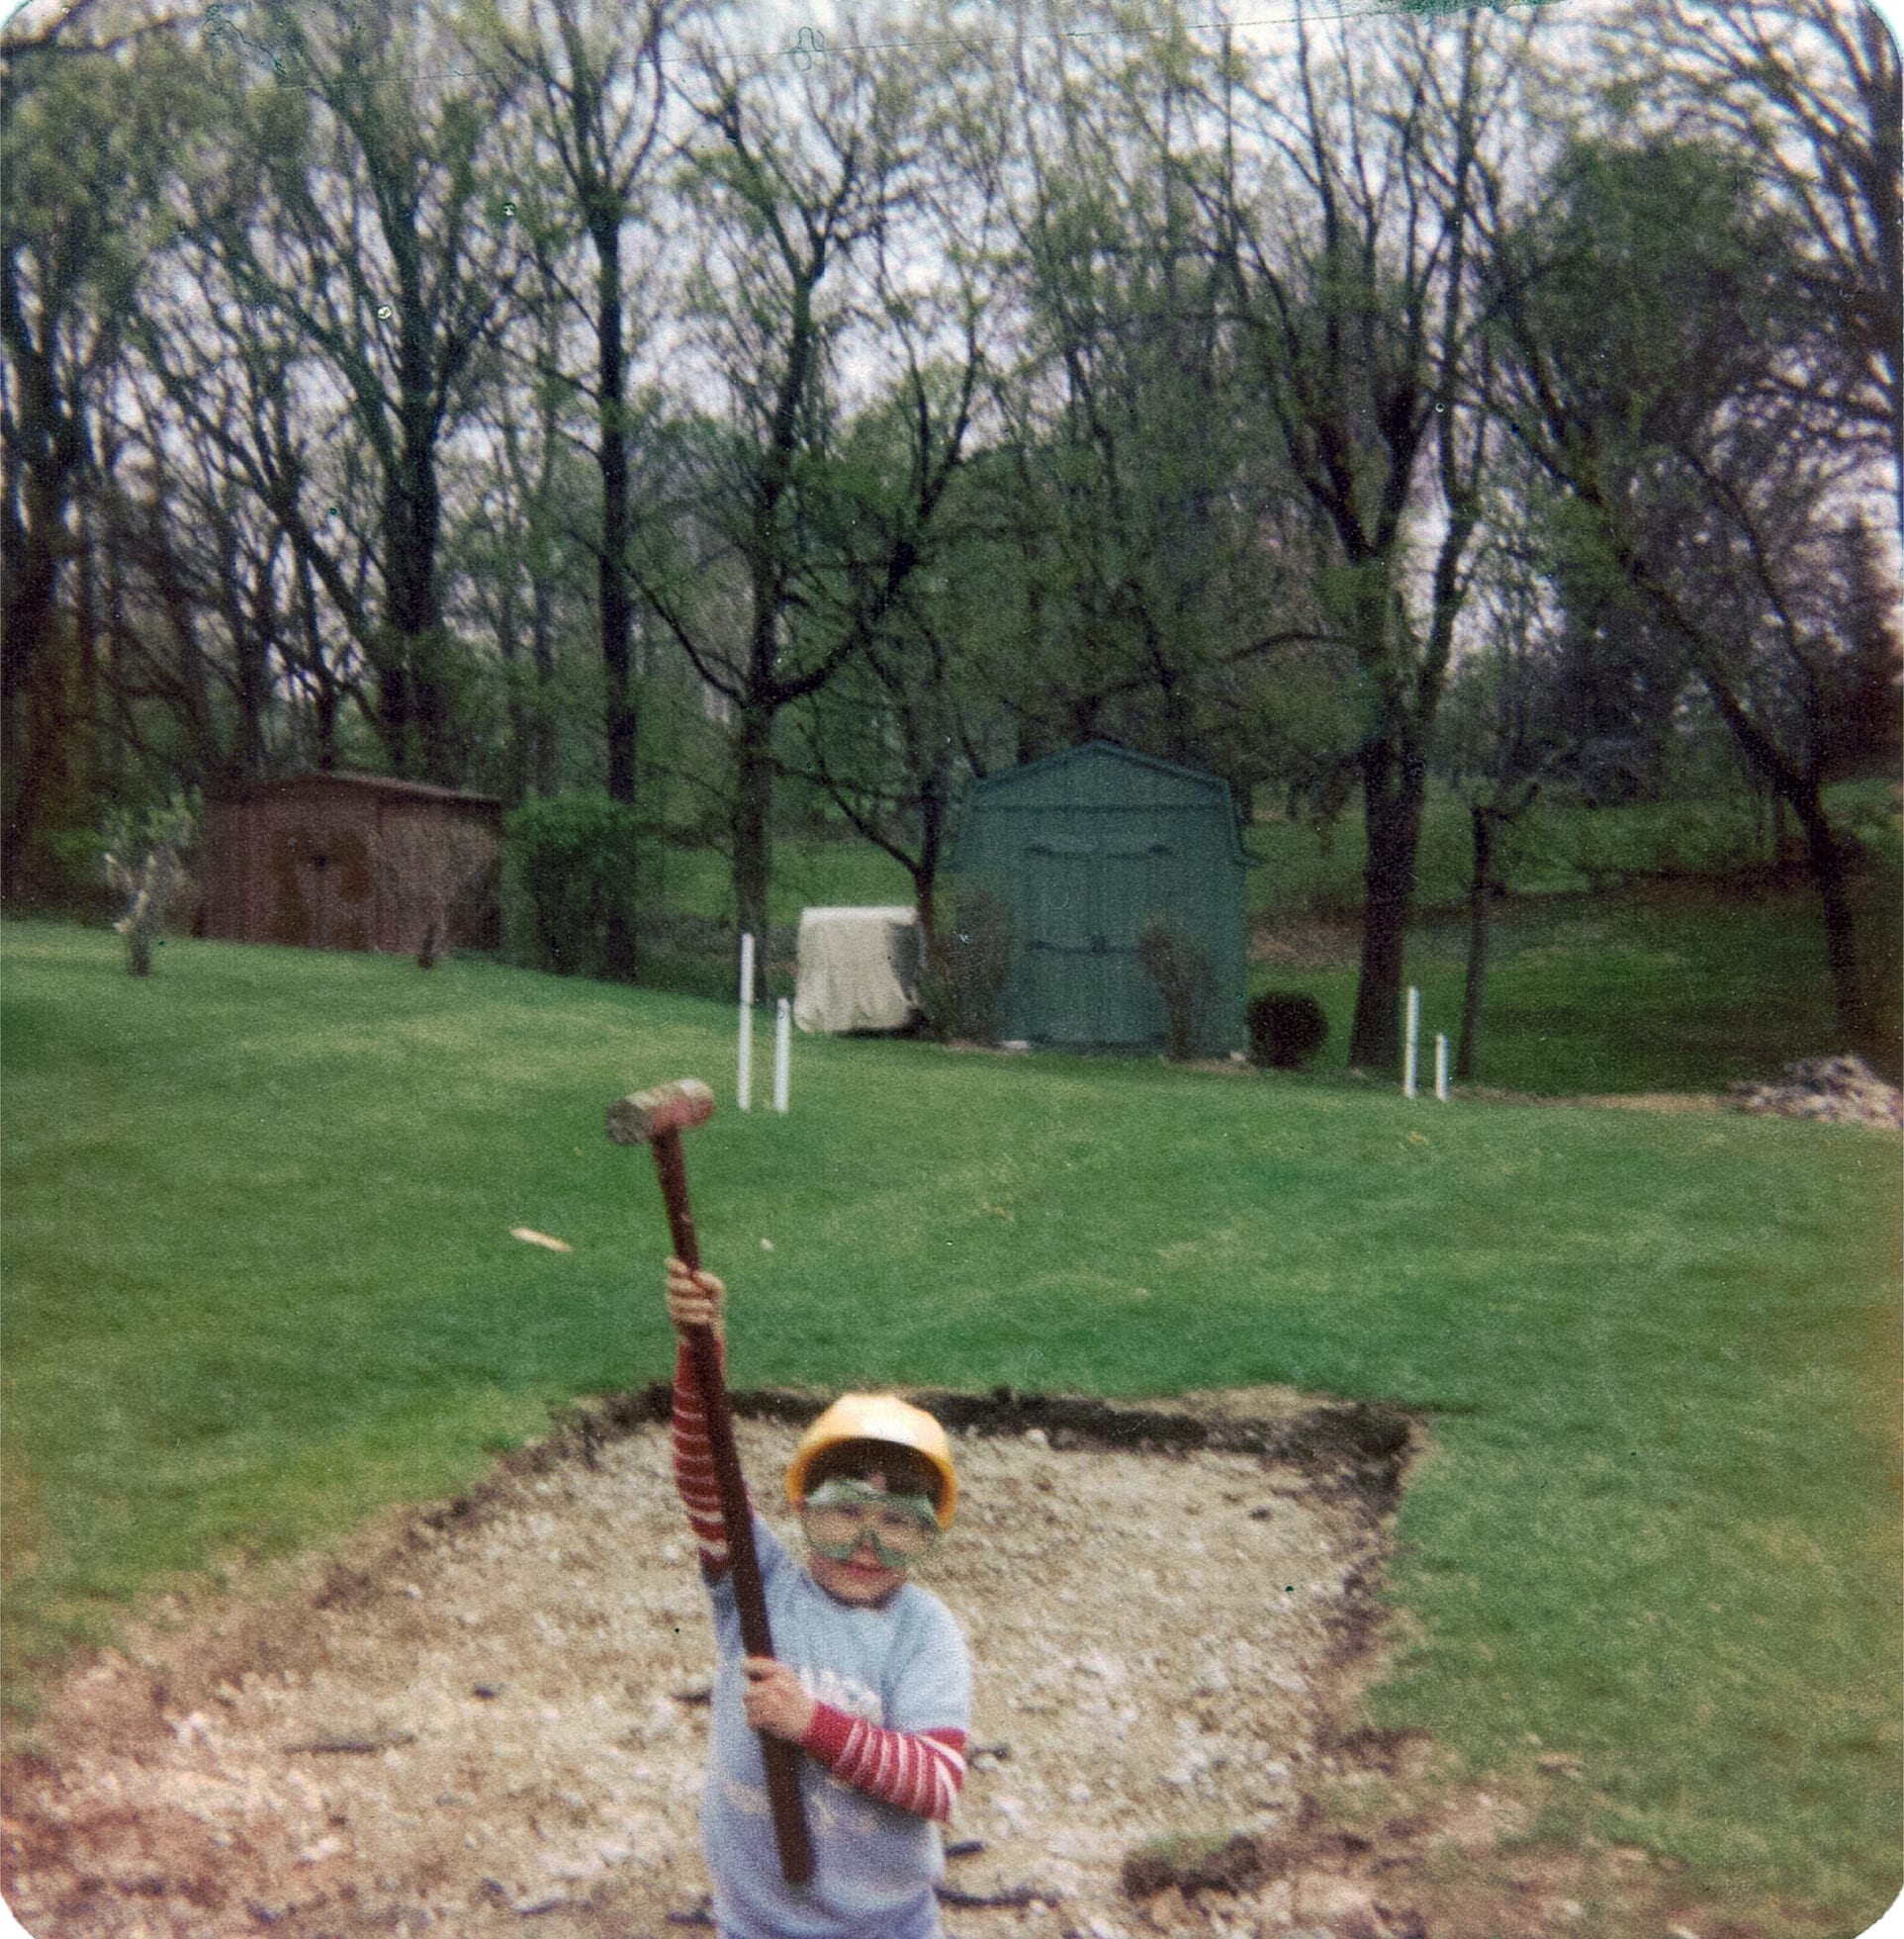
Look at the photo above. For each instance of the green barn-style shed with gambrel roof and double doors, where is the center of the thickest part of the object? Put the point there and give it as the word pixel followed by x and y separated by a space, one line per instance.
pixel 1085 850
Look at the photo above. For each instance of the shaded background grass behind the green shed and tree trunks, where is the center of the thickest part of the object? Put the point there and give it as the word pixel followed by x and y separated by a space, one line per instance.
pixel 1688 982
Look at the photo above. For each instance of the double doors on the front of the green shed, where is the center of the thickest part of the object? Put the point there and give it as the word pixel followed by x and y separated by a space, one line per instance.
pixel 1089 901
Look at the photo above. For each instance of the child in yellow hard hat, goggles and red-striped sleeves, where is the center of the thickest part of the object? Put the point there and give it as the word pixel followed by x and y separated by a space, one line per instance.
pixel 872 1678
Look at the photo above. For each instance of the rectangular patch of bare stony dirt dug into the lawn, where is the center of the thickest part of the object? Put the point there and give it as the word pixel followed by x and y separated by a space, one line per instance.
pixel 492 1717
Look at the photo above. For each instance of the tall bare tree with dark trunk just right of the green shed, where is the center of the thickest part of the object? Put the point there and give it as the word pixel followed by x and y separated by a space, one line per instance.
pixel 1352 261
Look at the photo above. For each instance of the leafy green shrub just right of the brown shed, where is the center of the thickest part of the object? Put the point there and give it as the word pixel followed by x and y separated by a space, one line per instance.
pixel 575 862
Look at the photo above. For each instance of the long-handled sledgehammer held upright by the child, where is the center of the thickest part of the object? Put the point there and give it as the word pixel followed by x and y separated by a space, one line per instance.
pixel 658 1120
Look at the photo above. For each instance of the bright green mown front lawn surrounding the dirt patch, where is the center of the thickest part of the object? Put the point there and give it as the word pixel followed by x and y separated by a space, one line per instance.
pixel 259 1283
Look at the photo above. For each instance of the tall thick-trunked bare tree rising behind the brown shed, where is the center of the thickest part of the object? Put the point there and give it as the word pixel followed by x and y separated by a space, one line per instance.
pixel 356 216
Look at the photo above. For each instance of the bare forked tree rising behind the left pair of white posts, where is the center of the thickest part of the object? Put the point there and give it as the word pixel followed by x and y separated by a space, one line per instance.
pixel 788 185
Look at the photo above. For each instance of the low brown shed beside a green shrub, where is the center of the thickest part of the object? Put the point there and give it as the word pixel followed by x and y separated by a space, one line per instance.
pixel 352 862
